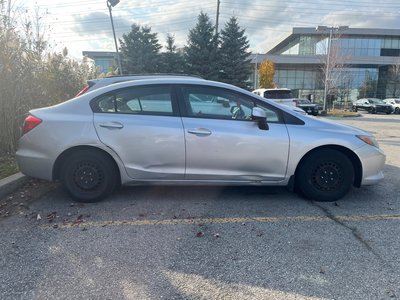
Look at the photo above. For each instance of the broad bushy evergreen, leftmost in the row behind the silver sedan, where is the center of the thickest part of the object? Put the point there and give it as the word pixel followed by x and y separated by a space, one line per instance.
pixel 140 51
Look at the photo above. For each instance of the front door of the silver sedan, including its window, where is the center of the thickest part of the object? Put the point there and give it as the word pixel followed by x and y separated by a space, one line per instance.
pixel 223 143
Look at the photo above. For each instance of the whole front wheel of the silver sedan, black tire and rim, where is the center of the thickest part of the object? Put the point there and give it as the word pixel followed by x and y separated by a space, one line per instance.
pixel 311 177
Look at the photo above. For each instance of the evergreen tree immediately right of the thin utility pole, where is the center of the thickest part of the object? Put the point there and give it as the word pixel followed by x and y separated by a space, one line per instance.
pixel 234 59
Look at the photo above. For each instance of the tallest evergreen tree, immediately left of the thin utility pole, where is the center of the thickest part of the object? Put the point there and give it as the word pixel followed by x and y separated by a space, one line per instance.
pixel 201 51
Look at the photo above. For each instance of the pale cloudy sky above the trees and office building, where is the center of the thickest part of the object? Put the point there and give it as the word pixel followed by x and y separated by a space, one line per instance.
pixel 84 25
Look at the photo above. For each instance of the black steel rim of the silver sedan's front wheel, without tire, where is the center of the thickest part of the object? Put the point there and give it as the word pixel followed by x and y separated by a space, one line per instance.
pixel 327 176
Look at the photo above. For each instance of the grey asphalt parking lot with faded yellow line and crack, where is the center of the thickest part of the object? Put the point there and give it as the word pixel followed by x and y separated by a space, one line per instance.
pixel 211 242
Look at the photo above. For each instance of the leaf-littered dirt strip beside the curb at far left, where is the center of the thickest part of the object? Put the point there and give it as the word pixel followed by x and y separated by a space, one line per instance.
pixel 18 202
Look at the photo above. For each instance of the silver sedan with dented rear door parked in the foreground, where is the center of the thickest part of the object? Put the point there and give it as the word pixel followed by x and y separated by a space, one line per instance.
pixel 192 131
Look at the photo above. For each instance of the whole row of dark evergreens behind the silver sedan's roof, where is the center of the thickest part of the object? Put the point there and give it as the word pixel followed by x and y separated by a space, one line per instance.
pixel 219 56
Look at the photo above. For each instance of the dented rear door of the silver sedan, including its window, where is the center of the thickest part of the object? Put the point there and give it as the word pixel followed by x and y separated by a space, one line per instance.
pixel 142 125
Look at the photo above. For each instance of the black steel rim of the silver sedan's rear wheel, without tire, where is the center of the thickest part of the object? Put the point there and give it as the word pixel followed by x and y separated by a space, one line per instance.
pixel 87 176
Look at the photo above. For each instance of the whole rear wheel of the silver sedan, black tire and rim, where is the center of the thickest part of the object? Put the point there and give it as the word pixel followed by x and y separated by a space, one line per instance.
pixel 89 175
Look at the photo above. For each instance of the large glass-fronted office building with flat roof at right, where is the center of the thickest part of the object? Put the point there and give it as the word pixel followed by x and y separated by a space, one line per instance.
pixel 362 62
